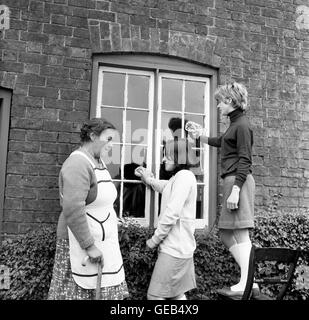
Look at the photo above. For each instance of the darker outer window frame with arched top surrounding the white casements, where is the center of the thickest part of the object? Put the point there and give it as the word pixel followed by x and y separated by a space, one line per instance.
pixel 157 63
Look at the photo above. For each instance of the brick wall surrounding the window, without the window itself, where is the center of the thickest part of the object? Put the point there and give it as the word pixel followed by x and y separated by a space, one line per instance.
pixel 46 60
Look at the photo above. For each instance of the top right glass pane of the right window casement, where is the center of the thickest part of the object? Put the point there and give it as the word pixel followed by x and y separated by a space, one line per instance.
pixel 194 96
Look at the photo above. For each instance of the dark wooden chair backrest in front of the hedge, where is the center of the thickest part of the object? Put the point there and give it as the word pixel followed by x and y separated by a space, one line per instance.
pixel 280 255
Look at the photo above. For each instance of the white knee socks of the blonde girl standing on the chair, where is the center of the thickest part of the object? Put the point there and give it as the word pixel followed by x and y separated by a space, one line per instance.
pixel 241 253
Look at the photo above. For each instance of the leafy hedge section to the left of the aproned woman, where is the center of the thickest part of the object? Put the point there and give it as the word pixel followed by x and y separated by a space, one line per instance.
pixel 30 259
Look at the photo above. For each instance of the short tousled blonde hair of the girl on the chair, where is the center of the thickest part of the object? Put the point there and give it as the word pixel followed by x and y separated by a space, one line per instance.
pixel 237 92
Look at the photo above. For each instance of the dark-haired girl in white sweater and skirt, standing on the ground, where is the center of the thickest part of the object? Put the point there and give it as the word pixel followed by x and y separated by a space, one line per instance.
pixel 174 274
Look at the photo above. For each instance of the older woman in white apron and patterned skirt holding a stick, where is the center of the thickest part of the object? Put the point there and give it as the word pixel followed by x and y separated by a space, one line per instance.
pixel 87 228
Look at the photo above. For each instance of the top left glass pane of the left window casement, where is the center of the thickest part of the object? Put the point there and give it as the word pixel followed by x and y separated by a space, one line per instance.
pixel 113 89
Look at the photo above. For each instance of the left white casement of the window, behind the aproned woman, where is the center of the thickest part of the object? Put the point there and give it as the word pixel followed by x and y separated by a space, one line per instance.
pixel 125 98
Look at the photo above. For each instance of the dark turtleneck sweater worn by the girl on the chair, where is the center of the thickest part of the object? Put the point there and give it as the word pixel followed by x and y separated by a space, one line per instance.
pixel 236 148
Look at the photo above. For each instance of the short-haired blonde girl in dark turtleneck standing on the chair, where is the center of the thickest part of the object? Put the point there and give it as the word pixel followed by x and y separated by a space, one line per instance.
pixel 237 214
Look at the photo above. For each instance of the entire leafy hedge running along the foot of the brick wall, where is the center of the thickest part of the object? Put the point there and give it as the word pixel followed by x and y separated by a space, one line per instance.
pixel 30 258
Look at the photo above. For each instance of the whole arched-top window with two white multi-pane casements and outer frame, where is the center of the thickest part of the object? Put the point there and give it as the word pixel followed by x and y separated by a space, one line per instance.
pixel 140 95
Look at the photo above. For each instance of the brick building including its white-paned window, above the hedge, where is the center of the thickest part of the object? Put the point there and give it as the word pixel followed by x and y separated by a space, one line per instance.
pixel 139 63
